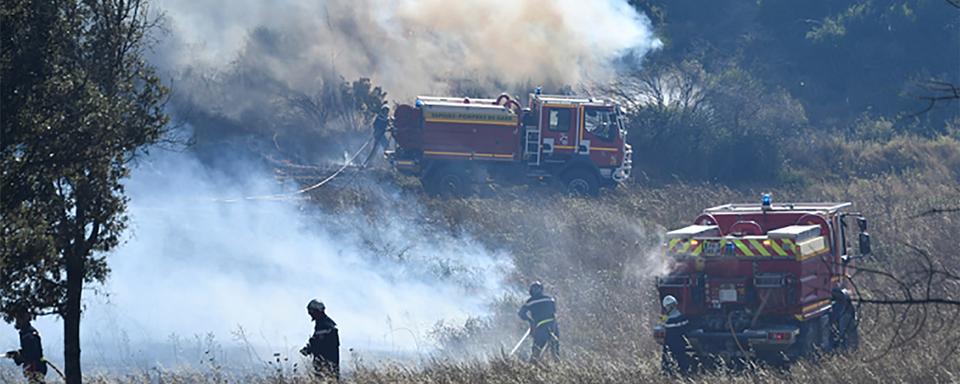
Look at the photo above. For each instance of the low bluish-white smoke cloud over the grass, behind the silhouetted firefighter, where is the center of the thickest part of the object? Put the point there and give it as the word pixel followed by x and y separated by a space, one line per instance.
pixel 193 266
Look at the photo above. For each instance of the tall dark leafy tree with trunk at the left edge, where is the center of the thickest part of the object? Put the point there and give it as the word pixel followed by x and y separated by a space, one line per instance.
pixel 79 102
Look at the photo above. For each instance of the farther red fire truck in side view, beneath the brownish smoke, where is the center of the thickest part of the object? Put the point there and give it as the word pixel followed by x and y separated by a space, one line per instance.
pixel 453 143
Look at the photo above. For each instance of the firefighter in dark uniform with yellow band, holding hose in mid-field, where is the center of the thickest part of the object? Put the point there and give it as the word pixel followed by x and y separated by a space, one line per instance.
pixel 540 311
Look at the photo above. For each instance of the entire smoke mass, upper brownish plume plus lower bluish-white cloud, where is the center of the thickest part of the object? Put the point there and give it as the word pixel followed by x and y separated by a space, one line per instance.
pixel 205 278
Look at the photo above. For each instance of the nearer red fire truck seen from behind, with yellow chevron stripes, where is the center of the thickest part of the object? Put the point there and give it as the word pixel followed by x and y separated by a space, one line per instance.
pixel 764 280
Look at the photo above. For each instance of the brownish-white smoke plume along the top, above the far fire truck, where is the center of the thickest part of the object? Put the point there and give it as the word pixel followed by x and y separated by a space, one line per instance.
pixel 410 46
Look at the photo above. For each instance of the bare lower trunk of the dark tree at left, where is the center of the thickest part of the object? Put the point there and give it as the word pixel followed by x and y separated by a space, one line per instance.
pixel 71 320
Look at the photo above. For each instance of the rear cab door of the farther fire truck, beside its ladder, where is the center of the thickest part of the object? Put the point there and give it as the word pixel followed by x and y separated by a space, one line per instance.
pixel 558 132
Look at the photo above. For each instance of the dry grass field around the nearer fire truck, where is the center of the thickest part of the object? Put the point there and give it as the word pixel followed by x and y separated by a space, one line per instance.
pixel 599 258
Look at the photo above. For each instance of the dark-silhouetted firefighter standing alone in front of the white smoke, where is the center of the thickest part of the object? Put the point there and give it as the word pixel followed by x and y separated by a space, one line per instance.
pixel 324 344
